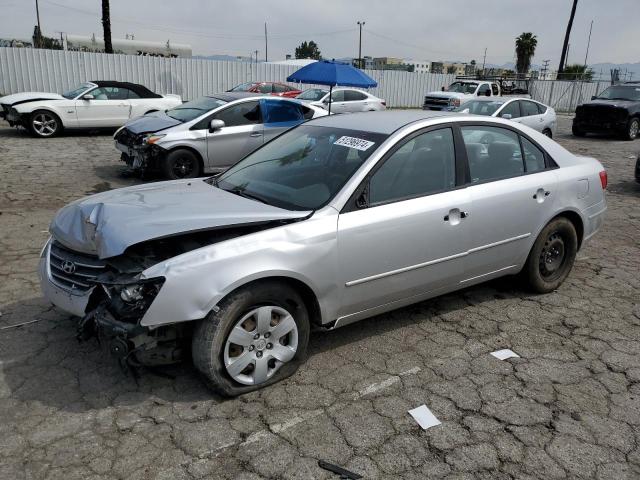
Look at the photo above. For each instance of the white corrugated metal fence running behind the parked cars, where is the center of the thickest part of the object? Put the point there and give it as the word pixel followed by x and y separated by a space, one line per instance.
pixel 24 69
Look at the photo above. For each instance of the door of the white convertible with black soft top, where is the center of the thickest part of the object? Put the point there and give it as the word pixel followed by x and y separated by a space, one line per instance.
pixel 108 108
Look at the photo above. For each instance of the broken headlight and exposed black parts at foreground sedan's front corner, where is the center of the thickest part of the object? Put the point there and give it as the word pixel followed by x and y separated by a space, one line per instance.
pixel 116 308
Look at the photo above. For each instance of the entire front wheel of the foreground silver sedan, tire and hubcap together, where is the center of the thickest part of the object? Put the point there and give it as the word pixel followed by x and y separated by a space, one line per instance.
pixel 214 353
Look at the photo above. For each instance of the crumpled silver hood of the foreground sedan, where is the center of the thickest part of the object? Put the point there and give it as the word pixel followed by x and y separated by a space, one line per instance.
pixel 108 223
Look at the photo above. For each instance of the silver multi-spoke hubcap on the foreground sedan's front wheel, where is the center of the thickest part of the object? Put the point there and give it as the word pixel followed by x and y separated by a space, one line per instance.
pixel 259 344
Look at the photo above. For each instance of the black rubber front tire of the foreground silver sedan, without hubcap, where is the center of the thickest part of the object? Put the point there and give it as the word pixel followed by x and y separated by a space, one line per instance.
pixel 211 334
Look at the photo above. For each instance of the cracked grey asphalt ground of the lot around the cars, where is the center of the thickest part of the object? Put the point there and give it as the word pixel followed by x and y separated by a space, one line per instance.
pixel 568 408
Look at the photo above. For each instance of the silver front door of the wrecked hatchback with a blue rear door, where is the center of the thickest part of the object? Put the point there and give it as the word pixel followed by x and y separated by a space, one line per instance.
pixel 241 135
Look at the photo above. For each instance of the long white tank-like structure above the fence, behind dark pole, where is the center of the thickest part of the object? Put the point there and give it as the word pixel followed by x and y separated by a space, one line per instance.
pixel 125 46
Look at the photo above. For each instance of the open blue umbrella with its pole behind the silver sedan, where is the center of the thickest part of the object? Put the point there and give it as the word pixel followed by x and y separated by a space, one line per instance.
pixel 332 73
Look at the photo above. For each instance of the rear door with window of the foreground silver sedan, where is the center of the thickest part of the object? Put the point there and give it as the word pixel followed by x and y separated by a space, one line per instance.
pixel 512 191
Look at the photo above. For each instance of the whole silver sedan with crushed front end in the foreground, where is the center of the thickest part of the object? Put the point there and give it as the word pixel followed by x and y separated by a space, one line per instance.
pixel 336 220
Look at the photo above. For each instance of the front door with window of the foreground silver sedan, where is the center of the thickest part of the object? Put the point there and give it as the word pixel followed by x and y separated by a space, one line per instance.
pixel 411 237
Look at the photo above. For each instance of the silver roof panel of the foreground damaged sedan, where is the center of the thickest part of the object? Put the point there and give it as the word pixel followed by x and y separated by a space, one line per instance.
pixel 385 122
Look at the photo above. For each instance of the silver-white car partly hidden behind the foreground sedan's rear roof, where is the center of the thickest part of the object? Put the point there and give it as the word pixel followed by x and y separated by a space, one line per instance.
pixel 528 112
